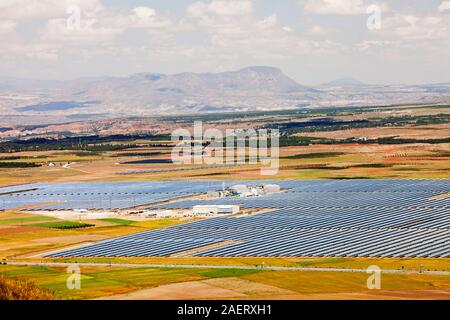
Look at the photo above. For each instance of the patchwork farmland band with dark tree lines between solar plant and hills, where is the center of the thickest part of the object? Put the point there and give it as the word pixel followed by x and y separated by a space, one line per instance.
pixel 389 142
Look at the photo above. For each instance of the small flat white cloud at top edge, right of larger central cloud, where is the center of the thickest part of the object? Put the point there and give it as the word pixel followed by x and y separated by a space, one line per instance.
pixel 335 7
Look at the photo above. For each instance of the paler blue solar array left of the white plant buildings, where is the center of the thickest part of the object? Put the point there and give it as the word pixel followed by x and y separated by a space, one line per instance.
pixel 97 196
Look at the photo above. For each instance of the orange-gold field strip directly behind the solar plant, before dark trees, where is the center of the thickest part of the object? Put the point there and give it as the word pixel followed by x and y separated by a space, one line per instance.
pixel 353 161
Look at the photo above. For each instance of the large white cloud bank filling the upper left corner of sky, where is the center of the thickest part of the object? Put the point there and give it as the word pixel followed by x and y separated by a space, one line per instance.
pixel 99 30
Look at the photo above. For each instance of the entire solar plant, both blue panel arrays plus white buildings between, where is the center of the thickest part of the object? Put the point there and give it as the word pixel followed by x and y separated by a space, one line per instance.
pixel 284 218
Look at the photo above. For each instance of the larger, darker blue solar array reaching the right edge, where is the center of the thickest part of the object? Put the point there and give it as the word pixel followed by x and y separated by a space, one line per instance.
pixel 322 218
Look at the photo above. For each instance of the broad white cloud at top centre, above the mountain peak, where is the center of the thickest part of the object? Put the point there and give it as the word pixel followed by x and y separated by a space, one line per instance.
pixel 236 34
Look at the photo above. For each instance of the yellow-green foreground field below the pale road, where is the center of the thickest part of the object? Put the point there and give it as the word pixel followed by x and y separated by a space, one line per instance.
pixel 172 283
